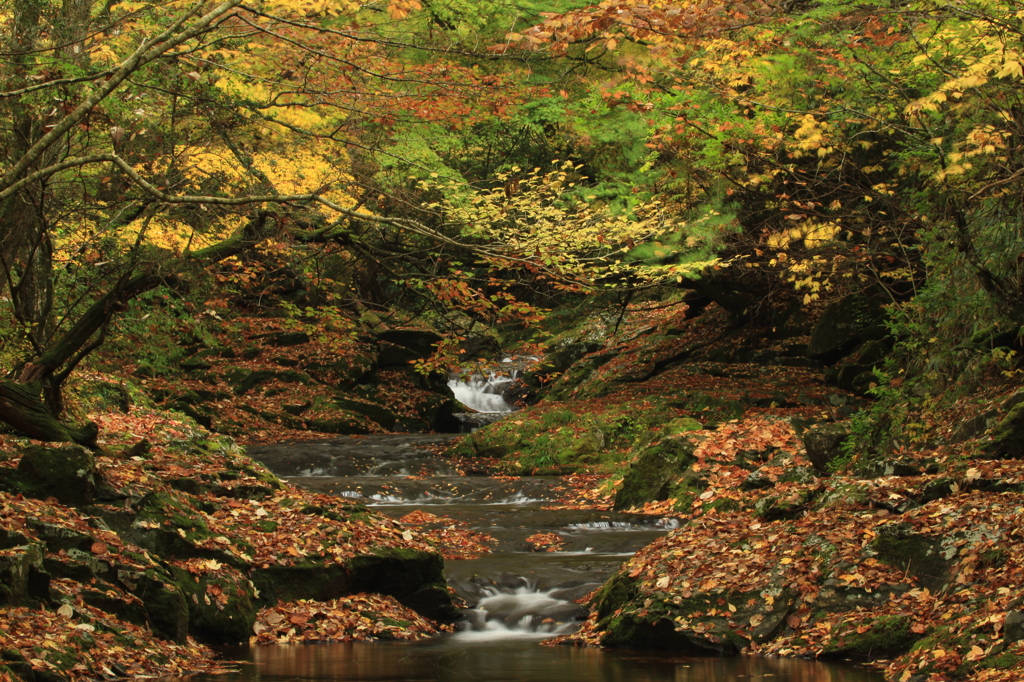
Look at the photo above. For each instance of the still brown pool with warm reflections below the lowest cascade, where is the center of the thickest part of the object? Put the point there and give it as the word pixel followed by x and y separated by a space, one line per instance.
pixel 513 662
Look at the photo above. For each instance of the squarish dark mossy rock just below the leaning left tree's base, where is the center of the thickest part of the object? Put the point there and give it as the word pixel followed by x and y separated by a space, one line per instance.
pixel 65 473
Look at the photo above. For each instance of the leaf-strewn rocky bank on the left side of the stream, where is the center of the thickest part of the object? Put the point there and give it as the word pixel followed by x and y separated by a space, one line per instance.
pixel 133 561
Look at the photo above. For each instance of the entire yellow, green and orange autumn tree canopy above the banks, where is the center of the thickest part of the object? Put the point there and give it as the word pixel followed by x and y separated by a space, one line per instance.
pixel 463 164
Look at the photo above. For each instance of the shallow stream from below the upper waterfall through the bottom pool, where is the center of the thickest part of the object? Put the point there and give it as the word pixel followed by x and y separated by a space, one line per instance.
pixel 518 596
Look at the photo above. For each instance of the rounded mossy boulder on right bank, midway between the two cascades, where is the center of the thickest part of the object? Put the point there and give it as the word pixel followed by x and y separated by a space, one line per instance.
pixel 655 471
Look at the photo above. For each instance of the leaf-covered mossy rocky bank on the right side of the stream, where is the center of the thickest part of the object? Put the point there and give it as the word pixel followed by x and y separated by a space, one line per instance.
pixel 808 530
